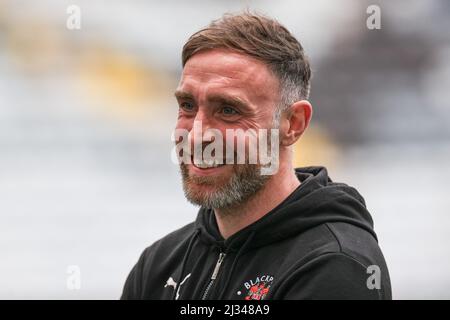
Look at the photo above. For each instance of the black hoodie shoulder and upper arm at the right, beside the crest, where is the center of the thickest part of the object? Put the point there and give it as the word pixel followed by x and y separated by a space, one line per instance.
pixel 337 263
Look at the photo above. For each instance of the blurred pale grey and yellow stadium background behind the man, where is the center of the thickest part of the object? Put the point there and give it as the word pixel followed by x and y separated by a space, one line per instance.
pixel 86 117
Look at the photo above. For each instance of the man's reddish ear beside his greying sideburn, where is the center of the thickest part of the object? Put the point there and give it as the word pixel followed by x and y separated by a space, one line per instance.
pixel 294 122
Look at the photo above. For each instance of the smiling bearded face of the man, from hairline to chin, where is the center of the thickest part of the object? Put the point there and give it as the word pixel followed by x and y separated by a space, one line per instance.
pixel 224 90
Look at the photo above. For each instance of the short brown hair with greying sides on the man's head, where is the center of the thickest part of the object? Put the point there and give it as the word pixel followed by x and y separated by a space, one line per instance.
pixel 262 38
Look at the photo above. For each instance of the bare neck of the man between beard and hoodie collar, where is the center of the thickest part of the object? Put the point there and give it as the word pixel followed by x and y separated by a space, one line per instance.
pixel 277 189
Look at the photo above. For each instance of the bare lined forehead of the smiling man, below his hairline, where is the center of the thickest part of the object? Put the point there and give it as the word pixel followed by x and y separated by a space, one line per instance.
pixel 225 69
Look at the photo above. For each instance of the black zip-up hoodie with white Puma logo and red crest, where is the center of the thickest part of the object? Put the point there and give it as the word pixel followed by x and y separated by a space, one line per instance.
pixel 318 243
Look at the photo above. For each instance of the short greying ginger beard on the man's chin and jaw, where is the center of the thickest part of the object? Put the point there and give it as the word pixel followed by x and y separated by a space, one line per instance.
pixel 223 192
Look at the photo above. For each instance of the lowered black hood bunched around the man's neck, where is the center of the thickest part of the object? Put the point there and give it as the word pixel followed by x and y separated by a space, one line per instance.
pixel 316 201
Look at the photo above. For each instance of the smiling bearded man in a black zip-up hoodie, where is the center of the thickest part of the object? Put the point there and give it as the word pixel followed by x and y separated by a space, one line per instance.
pixel 290 234
